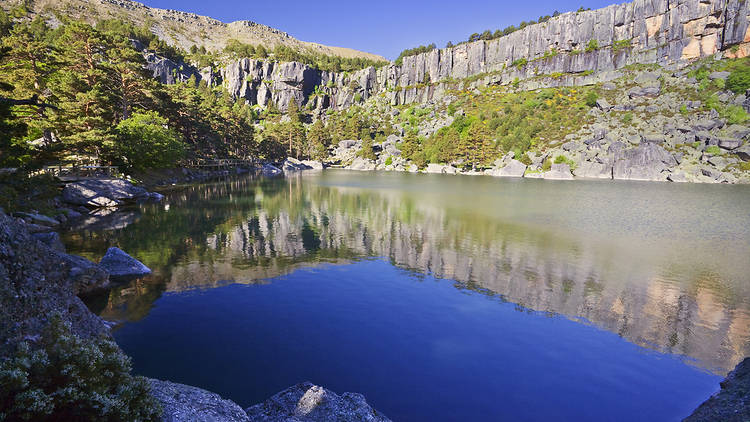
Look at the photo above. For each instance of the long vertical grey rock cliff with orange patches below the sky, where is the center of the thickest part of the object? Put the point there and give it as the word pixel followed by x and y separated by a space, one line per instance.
pixel 576 48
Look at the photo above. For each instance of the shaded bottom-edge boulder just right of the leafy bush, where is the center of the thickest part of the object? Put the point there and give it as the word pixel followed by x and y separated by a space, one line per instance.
pixel 182 403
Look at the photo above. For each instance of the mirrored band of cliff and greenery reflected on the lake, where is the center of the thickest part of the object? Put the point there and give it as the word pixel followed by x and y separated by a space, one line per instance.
pixel 247 231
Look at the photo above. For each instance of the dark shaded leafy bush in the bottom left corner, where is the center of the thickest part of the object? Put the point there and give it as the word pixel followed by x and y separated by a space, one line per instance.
pixel 71 379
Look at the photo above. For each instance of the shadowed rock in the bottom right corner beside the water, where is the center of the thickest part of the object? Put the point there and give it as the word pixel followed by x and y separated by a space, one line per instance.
pixel 732 402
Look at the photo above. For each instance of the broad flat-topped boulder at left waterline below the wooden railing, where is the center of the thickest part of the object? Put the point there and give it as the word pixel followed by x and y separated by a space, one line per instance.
pixel 103 193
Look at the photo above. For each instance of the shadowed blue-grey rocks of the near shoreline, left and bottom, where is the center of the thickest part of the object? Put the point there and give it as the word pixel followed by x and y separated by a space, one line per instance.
pixel 40 280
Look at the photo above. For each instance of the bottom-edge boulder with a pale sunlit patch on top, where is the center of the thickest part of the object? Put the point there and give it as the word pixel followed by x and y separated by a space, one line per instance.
pixel 306 402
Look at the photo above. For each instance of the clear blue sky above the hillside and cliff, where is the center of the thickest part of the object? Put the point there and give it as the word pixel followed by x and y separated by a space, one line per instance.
pixel 382 27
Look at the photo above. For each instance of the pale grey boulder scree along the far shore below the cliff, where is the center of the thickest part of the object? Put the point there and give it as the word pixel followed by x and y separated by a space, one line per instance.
pixel 642 128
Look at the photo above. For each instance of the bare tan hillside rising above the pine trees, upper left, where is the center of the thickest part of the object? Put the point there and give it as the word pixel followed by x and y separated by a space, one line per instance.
pixel 183 29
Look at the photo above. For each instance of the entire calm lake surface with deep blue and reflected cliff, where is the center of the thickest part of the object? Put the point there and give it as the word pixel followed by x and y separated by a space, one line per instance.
pixel 440 297
